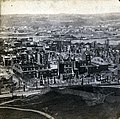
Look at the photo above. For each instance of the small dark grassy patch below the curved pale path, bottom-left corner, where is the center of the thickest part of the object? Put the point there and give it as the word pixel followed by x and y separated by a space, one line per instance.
pixel 13 114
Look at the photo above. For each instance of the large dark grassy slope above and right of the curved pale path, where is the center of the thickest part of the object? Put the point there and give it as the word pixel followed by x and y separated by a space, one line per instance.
pixel 70 107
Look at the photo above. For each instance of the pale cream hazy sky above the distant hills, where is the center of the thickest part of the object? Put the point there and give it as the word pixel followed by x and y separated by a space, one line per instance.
pixel 59 6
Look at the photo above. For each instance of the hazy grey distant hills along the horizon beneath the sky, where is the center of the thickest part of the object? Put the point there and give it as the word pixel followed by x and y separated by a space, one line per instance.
pixel 59 19
